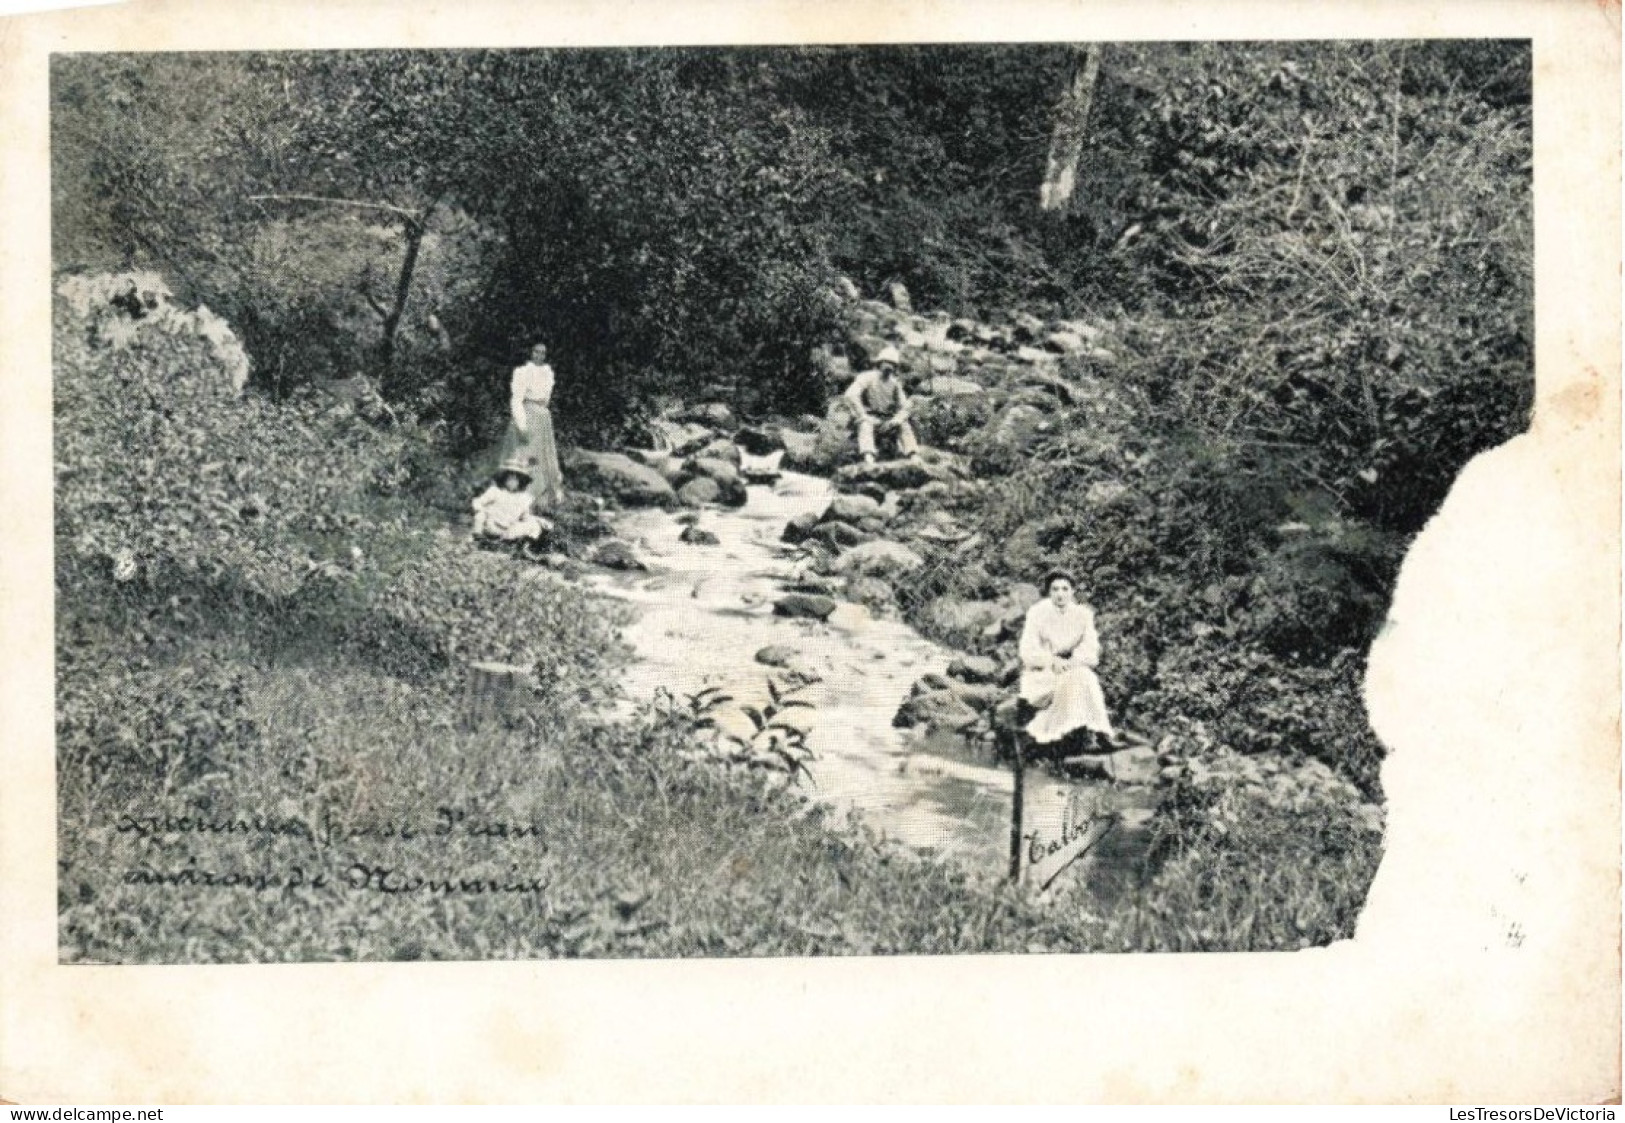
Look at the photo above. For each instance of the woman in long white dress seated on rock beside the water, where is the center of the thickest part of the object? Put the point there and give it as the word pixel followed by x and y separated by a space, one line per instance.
pixel 1059 656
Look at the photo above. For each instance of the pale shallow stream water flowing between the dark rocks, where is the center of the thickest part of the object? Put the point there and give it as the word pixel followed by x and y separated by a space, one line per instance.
pixel 704 612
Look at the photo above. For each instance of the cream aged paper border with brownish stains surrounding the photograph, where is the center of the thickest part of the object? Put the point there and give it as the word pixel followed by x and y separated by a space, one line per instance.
pixel 1497 687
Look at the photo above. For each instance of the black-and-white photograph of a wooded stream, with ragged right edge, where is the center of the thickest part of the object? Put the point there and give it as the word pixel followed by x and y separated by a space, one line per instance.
pixel 722 501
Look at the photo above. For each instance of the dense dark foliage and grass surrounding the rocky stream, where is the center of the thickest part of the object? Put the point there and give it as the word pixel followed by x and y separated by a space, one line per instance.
pixel 1312 261
